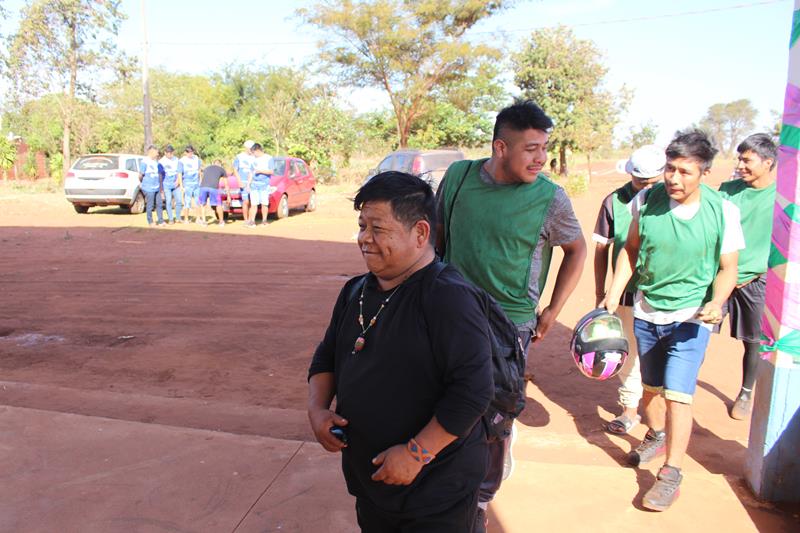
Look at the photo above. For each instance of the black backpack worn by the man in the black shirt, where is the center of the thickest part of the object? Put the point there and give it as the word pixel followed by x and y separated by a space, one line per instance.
pixel 508 359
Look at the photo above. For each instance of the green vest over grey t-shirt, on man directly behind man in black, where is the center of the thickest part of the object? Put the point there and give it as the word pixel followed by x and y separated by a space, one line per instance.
pixel 493 233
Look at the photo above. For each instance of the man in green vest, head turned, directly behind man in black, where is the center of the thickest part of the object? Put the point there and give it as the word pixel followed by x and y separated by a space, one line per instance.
pixel 499 218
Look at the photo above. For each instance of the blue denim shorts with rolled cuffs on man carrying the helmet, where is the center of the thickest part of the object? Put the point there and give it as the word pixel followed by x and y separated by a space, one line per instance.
pixel 670 356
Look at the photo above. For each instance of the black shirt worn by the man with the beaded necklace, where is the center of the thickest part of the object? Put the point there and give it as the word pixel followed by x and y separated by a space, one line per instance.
pixel 426 354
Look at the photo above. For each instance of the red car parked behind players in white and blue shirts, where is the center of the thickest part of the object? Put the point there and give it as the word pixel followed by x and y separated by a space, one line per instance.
pixel 293 187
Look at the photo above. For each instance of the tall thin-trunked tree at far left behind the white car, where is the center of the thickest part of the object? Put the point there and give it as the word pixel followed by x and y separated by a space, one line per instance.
pixel 60 47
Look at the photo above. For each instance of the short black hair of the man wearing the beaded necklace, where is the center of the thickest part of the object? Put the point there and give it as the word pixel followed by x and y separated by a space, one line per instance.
pixel 411 198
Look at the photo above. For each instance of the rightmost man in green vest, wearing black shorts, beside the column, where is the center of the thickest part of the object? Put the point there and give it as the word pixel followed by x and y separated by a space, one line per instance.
pixel 753 192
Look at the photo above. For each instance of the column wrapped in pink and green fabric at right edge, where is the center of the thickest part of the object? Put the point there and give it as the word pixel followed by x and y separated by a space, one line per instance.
pixel 773 457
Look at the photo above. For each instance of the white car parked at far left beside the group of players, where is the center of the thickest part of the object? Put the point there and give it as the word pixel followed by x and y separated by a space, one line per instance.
pixel 105 179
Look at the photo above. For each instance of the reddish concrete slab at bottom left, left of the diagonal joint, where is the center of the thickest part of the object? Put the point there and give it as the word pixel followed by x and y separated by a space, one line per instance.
pixel 65 472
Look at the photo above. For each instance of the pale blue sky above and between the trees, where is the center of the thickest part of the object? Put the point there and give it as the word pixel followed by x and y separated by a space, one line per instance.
pixel 679 57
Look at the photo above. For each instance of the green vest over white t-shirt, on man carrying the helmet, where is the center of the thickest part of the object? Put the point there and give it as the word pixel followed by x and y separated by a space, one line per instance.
pixel 679 259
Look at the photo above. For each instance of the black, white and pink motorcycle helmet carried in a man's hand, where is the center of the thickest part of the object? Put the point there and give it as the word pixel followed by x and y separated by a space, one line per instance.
pixel 599 347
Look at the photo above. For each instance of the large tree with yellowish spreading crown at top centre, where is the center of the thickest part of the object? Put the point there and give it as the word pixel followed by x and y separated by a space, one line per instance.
pixel 407 49
